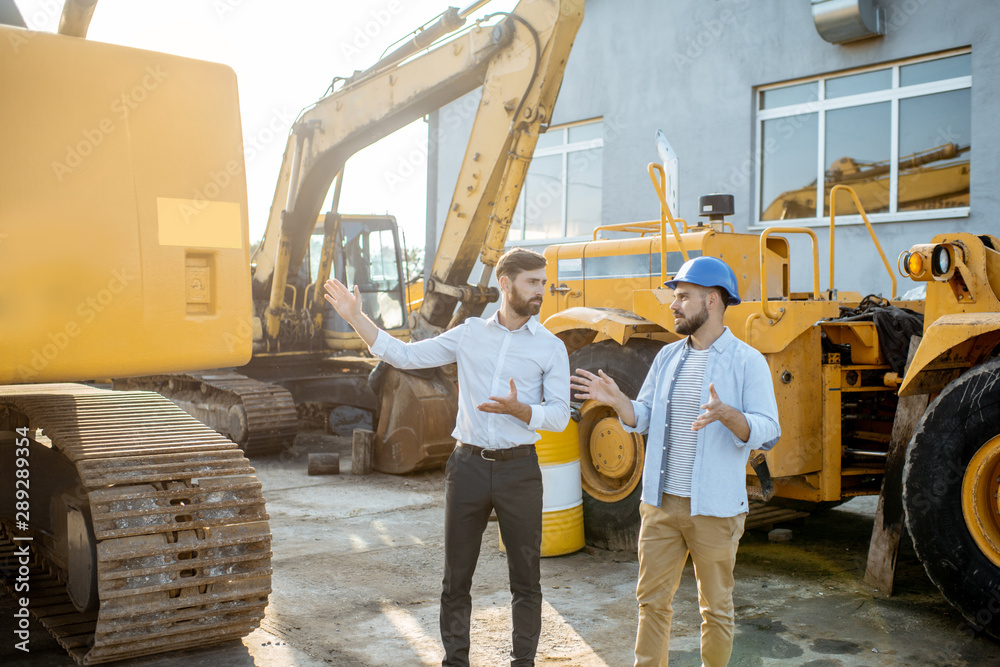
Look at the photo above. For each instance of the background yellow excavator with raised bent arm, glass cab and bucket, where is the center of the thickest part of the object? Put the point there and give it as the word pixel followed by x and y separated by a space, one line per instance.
pixel 303 353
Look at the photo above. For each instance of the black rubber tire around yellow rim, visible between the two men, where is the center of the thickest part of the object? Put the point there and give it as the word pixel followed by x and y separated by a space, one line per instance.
pixel 615 525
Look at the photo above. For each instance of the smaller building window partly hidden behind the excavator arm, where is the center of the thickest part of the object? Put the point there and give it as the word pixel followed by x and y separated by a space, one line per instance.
pixel 561 197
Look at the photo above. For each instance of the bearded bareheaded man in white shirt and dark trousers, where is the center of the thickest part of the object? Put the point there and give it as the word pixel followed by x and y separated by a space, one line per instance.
pixel 513 378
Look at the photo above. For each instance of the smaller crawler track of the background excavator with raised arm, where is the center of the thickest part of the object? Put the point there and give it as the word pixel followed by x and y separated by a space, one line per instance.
pixel 258 416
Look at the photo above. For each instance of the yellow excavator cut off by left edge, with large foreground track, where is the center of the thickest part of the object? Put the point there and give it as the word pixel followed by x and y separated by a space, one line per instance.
pixel 126 526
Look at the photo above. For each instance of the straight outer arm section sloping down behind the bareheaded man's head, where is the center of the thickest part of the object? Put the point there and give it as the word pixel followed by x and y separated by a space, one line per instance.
pixel 519 94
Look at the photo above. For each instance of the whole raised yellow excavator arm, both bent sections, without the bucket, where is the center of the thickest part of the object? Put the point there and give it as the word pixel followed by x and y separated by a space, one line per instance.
pixel 517 61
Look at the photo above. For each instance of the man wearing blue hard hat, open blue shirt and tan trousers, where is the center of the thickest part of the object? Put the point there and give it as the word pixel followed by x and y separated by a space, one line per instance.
pixel 707 401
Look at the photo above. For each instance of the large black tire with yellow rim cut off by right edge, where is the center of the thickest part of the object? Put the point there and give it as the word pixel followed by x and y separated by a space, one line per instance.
pixel 964 417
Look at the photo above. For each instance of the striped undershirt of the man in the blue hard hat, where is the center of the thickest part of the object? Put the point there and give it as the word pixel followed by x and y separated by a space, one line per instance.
pixel 685 406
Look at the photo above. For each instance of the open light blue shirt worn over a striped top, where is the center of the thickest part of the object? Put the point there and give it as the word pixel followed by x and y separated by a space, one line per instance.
pixel 743 380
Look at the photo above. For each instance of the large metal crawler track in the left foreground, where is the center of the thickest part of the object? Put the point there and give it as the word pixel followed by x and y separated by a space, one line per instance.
pixel 182 545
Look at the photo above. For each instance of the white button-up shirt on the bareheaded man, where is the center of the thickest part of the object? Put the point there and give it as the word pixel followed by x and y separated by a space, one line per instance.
pixel 488 356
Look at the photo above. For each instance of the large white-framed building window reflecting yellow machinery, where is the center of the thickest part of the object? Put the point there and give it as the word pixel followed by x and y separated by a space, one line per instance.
pixel 900 135
